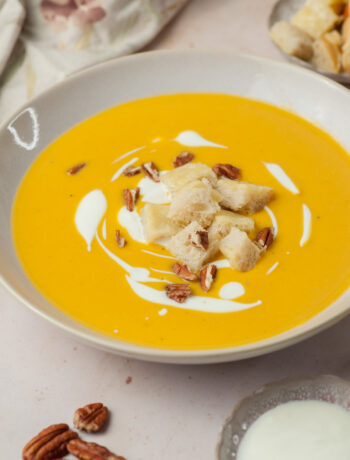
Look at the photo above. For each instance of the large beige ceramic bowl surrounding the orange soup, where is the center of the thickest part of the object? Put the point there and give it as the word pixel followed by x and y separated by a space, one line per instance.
pixel 48 116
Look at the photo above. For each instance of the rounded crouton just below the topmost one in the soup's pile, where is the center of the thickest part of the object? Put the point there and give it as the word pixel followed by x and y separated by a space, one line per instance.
pixel 195 202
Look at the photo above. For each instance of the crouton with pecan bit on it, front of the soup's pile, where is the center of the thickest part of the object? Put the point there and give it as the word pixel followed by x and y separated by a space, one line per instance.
pixel 182 248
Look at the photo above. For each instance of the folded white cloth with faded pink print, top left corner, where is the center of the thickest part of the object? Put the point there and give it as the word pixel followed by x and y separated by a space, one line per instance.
pixel 43 41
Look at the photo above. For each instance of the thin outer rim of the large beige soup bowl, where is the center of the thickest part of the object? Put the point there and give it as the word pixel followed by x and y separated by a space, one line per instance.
pixel 178 356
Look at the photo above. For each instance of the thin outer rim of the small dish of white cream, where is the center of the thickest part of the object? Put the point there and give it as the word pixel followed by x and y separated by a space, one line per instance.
pixel 276 385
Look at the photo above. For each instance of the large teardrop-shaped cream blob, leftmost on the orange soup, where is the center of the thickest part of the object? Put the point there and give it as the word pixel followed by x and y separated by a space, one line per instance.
pixel 89 214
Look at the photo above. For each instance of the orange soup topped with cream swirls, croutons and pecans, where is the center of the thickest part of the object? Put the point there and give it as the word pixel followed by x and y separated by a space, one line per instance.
pixel 98 234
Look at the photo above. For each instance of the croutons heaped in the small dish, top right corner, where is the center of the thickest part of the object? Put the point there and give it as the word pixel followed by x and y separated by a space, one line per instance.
pixel 318 33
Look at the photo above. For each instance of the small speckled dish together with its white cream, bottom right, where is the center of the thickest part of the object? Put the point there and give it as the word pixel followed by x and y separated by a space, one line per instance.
pixel 291 419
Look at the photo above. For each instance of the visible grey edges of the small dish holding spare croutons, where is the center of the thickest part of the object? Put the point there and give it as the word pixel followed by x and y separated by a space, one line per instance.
pixel 284 10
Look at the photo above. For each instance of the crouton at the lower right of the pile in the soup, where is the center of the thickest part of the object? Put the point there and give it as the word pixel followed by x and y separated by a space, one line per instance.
pixel 240 251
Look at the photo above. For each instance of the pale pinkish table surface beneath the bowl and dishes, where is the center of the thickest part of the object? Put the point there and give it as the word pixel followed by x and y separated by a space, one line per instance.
pixel 166 412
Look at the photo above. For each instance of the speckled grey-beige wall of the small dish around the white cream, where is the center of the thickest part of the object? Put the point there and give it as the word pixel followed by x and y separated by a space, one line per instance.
pixel 323 388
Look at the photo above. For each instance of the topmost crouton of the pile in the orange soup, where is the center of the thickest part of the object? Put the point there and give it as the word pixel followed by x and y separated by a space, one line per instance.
pixel 177 178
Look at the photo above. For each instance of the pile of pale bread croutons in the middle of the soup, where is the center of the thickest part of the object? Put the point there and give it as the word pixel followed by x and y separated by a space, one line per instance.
pixel 208 214
